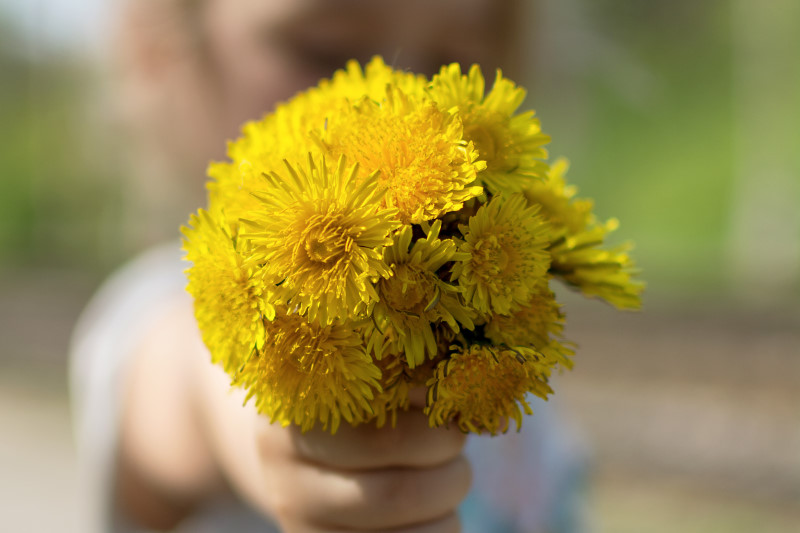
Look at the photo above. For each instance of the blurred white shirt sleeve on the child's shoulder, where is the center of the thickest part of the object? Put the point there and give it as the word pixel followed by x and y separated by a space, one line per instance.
pixel 106 335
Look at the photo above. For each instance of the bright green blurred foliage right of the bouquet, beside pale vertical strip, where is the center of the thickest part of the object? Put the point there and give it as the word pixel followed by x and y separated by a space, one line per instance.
pixel 656 152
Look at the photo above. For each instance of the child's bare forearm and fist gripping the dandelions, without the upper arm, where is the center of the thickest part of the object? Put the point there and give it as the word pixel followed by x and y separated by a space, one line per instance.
pixel 408 478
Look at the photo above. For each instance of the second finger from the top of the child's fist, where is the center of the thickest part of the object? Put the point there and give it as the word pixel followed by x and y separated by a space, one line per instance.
pixel 374 500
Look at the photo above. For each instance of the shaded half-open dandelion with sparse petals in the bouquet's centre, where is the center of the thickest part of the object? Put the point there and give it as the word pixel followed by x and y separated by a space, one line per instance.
pixel 414 298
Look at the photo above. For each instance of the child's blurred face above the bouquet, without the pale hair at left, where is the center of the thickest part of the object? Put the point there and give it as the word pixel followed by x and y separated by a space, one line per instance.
pixel 263 51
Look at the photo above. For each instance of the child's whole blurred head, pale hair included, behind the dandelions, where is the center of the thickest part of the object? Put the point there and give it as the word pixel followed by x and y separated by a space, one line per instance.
pixel 235 59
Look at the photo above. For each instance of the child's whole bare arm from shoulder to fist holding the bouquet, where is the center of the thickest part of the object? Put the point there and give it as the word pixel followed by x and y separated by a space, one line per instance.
pixel 185 435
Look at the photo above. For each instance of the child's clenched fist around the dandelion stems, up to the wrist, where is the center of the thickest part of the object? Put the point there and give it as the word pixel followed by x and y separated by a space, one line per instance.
pixel 410 477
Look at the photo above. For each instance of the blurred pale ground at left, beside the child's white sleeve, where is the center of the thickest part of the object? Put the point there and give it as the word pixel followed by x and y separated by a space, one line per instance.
pixel 37 460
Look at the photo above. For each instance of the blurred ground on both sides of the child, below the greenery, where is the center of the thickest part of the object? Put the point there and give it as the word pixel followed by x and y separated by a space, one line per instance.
pixel 692 416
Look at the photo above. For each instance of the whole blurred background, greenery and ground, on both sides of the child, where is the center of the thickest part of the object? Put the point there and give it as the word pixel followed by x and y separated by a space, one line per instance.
pixel 680 118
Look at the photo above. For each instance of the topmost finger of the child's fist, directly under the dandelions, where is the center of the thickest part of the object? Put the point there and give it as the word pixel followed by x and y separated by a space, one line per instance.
pixel 410 443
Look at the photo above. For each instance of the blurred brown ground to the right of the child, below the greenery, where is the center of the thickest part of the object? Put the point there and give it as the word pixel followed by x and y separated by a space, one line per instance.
pixel 693 416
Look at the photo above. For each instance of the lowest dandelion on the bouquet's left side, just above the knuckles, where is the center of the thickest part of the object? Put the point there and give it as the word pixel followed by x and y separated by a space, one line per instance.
pixel 309 373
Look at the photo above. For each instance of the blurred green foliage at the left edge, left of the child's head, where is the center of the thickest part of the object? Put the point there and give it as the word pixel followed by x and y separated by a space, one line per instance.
pixel 56 203
